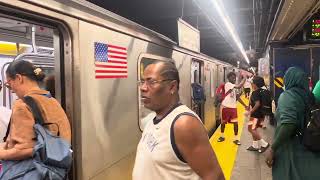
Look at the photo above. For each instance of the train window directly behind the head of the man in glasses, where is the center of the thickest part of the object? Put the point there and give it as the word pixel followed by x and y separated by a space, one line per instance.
pixel 144 113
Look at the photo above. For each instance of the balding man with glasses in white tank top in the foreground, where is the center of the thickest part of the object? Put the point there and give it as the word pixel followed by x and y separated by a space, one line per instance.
pixel 174 144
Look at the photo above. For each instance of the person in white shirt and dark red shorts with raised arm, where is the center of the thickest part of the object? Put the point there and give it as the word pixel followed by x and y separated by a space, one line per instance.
pixel 228 110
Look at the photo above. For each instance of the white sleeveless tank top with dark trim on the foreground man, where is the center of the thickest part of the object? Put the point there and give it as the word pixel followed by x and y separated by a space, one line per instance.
pixel 157 156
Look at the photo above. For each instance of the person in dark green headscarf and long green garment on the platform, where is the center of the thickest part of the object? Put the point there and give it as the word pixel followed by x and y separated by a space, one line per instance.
pixel 288 157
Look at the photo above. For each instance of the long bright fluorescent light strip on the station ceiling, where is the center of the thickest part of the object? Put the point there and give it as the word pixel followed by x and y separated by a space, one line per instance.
pixel 227 22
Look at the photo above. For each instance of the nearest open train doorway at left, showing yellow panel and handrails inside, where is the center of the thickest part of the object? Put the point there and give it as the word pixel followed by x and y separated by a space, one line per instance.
pixel 40 44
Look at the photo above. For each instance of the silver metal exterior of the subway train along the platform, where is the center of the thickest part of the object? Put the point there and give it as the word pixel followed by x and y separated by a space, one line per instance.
pixel 104 113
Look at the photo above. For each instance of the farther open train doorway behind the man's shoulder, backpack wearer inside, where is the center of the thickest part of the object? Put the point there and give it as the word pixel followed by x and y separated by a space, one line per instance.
pixel 197 79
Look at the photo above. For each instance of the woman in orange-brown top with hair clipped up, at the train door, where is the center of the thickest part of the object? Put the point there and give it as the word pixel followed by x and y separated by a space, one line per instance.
pixel 22 79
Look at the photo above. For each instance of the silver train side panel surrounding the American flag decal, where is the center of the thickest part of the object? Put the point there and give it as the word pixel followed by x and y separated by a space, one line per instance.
pixel 110 129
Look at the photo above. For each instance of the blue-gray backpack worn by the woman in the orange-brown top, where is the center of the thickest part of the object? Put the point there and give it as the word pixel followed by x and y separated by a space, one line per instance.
pixel 52 156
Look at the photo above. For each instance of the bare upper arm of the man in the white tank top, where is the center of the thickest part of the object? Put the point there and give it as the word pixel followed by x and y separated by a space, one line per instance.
pixel 192 141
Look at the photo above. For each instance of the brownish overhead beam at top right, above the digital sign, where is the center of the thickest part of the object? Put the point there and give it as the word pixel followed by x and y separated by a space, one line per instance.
pixel 292 17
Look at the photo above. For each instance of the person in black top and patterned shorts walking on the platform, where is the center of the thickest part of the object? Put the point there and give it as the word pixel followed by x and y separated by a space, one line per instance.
pixel 256 116
